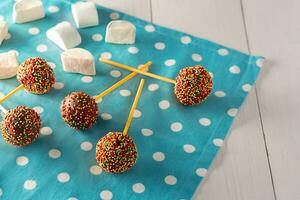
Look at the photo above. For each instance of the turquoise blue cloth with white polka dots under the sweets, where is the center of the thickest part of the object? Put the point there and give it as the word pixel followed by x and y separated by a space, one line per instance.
pixel 168 130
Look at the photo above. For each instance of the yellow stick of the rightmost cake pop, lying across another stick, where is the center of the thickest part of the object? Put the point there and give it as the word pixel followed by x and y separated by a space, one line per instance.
pixel 116 64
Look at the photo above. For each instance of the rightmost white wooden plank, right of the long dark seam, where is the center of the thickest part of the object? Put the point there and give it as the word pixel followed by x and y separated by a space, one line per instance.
pixel 274 31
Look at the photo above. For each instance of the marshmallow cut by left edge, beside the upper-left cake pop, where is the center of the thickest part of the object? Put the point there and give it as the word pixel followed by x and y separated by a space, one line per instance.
pixel 8 64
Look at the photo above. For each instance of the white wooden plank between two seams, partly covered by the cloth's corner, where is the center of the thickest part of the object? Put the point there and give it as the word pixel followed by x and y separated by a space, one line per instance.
pixel 241 170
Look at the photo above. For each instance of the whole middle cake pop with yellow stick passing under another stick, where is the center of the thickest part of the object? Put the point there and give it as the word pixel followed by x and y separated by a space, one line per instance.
pixel 80 111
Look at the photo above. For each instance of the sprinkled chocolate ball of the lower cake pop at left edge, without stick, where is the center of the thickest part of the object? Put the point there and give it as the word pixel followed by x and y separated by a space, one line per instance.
pixel 21 126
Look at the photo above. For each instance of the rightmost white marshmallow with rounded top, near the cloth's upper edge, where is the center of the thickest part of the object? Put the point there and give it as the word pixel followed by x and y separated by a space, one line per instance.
pixel 120 32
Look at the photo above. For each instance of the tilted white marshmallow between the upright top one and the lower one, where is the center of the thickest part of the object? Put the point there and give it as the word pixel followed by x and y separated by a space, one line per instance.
pixel 64 35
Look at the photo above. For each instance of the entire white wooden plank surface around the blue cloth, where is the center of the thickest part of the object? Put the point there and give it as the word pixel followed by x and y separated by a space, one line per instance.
pixel 261 158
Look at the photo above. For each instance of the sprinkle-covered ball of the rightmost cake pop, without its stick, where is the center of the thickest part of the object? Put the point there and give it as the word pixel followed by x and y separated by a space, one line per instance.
pixel 193 85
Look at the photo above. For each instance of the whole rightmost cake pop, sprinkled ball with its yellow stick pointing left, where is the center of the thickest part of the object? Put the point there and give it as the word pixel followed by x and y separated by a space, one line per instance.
pixel 192 85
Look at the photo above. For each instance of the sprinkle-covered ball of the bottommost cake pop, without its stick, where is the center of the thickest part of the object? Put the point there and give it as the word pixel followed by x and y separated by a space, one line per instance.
pixel 116 153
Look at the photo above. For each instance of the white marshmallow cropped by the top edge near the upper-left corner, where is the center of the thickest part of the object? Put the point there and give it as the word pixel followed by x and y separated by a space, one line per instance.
pixel 27 11
